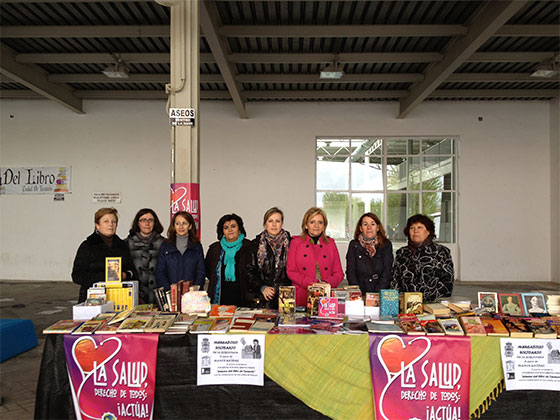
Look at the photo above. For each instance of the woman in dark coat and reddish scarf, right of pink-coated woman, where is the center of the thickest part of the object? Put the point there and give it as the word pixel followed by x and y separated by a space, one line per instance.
pixel 370 256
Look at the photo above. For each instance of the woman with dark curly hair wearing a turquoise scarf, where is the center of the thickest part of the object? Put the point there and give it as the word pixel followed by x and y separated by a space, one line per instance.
pixel 227 261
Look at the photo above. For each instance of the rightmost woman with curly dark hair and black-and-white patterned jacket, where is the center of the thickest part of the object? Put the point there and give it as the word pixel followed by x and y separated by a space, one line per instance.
pixel 423 265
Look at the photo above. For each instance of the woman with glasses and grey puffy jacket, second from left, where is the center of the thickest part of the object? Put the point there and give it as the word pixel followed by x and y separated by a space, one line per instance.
pixel 144 240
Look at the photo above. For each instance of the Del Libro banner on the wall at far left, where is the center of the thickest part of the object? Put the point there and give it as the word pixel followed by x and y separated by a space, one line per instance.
pixel 35 180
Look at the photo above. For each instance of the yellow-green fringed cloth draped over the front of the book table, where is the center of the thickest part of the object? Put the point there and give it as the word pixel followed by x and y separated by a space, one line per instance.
pixel 332 374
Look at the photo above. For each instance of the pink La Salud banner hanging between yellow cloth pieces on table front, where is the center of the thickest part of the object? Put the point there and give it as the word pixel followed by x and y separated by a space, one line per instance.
pixel 419 377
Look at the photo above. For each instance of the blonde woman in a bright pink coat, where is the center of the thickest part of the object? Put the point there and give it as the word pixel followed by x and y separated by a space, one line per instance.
pixel 313 257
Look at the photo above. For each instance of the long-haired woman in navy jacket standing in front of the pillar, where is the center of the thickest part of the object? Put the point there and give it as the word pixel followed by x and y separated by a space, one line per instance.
pixel 181 256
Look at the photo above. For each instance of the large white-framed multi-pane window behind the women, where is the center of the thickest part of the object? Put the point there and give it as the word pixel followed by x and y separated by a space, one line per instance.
pixel 393 177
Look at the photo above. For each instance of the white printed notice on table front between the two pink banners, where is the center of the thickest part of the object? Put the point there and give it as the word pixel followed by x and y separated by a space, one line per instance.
pixel 230 359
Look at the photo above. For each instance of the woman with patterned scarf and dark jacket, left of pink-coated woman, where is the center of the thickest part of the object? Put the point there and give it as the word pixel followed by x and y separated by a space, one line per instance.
pixel 267 266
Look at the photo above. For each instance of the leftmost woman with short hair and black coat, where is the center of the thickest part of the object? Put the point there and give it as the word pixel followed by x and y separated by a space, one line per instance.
pixel 89 264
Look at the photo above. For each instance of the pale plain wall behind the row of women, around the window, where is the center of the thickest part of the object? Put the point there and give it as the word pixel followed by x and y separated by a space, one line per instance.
pixel 247 166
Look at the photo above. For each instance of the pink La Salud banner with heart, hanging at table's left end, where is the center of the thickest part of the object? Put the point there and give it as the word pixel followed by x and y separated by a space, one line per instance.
pixel 112 377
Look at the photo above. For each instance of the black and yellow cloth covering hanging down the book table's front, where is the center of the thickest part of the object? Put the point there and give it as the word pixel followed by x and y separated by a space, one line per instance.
pixel 307 377
